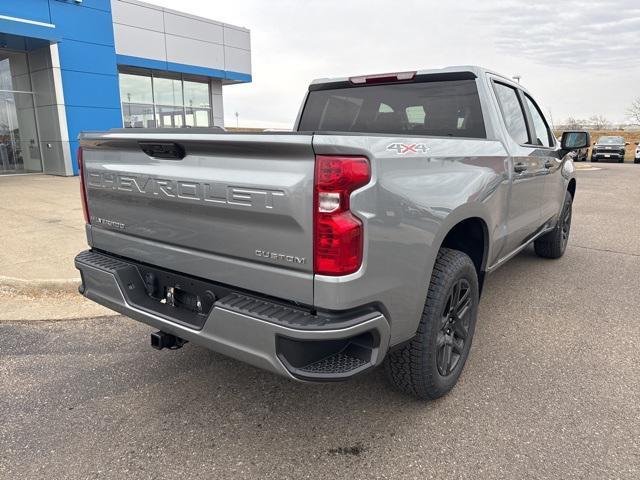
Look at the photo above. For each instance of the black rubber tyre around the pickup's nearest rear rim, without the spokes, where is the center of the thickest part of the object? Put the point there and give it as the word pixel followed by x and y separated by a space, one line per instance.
pixel 413 368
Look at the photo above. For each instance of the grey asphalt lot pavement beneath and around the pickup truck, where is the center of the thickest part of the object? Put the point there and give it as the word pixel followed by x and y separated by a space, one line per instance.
pixel 551 390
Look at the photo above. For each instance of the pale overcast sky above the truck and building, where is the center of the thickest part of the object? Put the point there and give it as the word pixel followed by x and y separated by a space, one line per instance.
pixel 578 57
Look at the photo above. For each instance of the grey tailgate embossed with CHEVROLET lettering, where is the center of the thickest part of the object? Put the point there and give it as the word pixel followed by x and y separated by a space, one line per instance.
pixel 236 209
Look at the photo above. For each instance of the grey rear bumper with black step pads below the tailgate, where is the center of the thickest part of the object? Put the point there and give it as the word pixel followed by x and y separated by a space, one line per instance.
pixel 274 336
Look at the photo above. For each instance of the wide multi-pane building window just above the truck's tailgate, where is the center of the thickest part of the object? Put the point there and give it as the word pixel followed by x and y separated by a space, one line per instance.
pixel 159 100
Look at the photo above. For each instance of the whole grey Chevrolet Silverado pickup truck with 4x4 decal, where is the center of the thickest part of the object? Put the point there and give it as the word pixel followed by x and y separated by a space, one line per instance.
pixel 362 237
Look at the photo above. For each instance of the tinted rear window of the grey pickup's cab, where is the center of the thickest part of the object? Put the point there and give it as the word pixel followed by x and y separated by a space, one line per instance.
pixel 437 108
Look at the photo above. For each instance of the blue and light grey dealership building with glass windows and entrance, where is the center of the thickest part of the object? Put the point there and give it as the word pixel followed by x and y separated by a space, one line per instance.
pixel 73 65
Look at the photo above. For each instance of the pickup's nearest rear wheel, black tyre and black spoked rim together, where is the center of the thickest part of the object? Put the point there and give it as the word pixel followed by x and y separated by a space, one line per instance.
pixel 429 365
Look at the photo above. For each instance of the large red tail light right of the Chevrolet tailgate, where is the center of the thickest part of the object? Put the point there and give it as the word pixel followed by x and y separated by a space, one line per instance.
pixel 338 234
